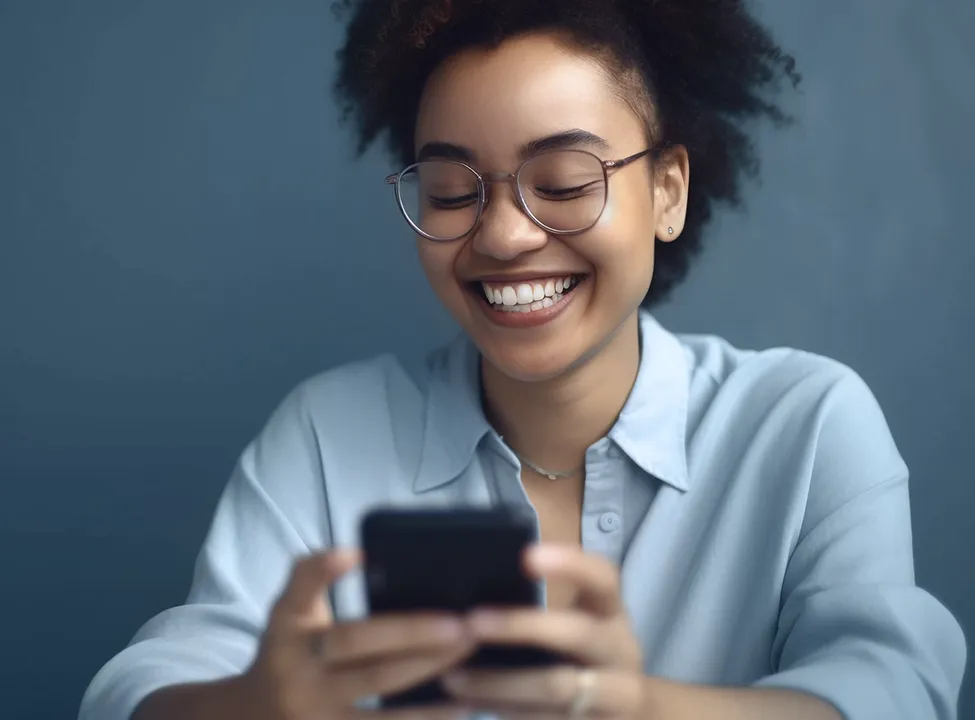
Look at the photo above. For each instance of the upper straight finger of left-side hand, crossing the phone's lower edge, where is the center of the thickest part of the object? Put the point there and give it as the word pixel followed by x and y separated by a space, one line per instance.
pixel 359 641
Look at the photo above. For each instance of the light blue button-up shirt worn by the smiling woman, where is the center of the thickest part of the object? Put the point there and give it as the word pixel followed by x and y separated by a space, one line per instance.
pixel 756 503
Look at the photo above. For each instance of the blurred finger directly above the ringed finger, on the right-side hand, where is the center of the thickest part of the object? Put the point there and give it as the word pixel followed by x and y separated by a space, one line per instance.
pixel 571 633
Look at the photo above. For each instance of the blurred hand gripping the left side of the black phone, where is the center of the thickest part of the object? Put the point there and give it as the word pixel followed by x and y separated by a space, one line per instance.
pixel 310 668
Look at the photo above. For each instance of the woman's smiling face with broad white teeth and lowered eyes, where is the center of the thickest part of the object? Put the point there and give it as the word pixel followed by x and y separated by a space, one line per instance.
pixel 493 106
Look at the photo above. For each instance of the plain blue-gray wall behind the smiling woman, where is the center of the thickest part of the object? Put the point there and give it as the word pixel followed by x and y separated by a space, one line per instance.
pixel 184 236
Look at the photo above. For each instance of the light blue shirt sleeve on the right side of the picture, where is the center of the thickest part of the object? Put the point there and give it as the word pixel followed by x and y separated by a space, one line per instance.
pixel 854 629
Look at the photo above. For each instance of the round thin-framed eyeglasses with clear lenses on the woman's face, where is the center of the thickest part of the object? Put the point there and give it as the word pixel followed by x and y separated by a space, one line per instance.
pixel 563 192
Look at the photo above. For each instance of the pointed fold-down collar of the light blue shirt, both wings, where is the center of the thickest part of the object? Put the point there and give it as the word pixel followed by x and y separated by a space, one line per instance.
pixel 650 429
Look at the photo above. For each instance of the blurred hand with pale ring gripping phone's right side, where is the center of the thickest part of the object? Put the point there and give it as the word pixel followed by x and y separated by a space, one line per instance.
pixel 609 680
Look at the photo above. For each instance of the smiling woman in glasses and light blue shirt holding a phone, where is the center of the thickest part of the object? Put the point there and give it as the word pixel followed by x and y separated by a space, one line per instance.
pixel 724 534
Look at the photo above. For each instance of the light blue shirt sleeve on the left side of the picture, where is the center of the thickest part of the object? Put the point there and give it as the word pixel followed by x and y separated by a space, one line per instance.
pixel 272 511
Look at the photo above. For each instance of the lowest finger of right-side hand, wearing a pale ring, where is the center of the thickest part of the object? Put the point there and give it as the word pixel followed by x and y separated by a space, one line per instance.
pixel 555 689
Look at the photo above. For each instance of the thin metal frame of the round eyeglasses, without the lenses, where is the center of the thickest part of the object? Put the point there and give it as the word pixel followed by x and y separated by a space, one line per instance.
pixel 483 181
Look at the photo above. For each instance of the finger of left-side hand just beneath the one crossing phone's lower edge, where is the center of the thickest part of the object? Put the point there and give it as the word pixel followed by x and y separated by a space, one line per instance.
pixel 392 674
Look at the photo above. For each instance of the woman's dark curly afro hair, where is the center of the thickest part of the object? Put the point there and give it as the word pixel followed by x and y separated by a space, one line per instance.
pixel 694 70
